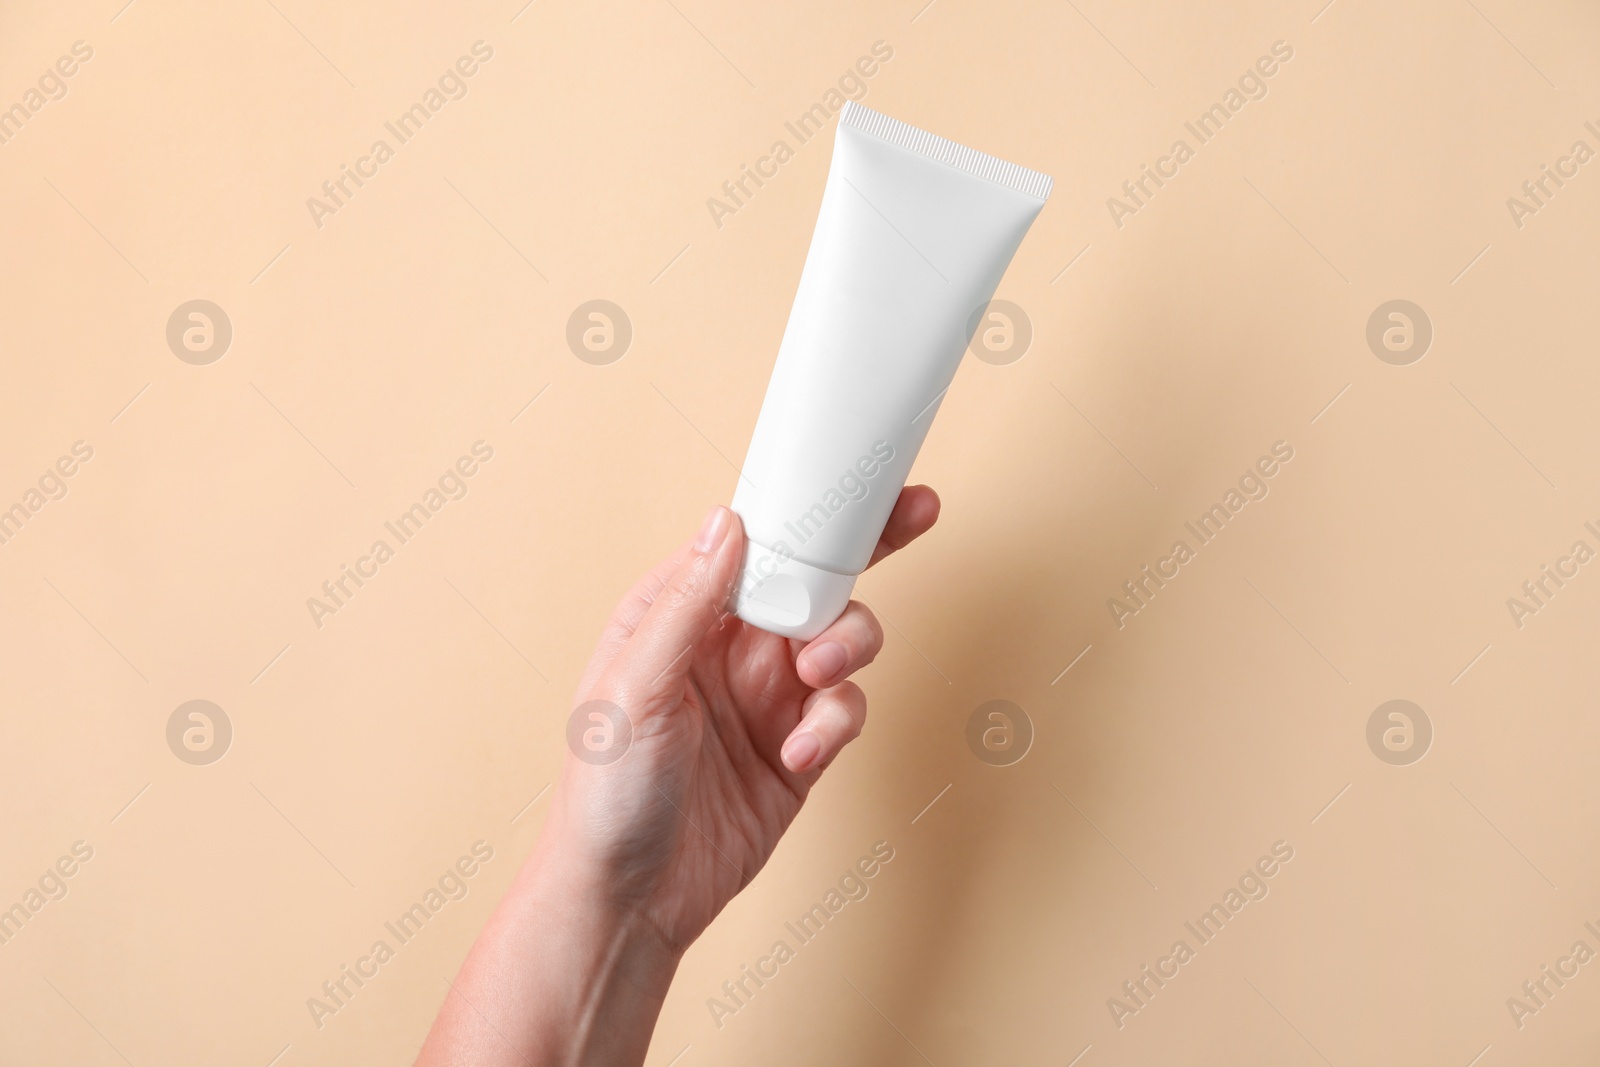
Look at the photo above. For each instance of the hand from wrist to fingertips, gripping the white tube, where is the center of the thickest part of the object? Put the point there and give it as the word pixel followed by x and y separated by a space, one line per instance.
pixel 729 727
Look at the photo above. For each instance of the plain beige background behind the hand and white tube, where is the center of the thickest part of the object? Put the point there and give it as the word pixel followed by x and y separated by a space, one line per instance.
pixel 428 714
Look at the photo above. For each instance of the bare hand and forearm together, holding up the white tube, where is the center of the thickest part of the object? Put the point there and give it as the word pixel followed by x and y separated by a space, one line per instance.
pixel 730 727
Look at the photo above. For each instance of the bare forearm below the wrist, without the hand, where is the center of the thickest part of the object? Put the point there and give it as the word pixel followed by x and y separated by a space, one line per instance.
pixel 559 977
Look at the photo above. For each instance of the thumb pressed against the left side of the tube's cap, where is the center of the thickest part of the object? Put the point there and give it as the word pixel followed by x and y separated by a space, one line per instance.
pixel 689 607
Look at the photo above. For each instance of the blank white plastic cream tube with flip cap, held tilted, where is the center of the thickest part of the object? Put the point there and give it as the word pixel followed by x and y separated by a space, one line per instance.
pixel 910 246
